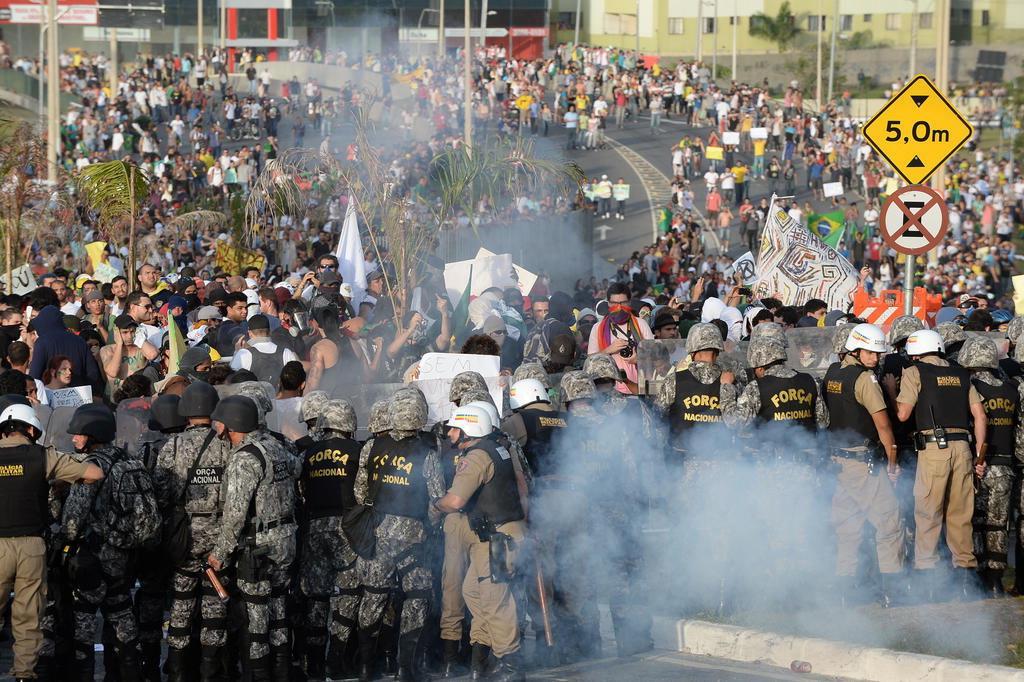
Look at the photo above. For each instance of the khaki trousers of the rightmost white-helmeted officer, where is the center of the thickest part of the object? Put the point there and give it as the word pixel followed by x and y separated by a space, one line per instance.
pixel 945 492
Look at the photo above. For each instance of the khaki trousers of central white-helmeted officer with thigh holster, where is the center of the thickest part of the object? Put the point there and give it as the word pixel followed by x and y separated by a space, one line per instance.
pixel 496 623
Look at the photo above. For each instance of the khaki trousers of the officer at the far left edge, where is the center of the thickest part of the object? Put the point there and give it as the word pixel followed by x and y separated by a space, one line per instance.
pixel 23 566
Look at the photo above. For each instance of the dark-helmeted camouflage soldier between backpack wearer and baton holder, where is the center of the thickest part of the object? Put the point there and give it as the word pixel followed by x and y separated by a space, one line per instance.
pixel 189 476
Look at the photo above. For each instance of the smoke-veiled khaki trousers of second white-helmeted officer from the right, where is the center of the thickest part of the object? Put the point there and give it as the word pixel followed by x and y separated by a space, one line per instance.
pixel 862 496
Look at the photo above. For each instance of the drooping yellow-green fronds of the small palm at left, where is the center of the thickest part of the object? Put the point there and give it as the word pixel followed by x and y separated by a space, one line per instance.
pixel 115 190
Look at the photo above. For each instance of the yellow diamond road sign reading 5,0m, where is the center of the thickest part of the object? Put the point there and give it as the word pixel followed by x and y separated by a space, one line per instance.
pixel 918 131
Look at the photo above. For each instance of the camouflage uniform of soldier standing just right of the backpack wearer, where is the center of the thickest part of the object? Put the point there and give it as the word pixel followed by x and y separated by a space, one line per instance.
pixel 195 481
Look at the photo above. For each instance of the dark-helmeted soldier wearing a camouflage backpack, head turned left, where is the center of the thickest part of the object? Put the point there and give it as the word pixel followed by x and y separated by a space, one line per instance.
pixel 104 525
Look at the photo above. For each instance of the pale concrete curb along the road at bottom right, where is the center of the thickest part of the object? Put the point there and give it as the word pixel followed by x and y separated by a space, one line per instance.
pixel 827 658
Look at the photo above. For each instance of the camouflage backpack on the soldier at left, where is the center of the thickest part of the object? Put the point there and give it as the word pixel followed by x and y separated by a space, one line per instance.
pixel 133 516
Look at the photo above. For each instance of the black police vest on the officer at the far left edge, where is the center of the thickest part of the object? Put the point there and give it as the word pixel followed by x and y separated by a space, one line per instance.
pixel 23 491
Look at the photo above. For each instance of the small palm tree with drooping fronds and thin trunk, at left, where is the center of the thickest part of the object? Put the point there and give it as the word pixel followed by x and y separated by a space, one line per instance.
pixel 117 192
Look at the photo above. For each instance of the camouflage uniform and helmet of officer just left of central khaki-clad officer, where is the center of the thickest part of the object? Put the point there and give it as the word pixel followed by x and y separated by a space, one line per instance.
pixel 400 552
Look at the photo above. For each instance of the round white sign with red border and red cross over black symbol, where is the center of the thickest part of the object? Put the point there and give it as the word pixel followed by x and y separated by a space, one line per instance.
pixel 915 220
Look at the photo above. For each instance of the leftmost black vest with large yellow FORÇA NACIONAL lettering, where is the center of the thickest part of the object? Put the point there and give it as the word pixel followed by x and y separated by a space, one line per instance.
pixel 329 477
